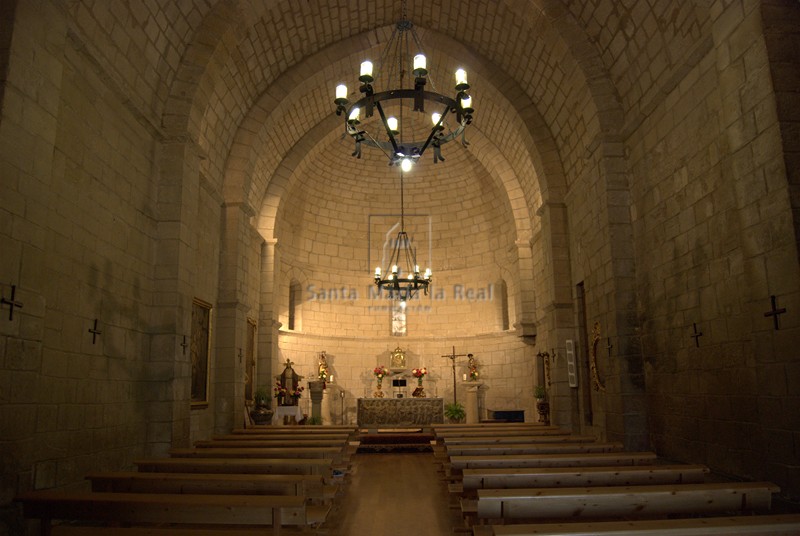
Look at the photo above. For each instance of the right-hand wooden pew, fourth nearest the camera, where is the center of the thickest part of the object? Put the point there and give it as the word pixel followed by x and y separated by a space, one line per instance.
pixel 552 460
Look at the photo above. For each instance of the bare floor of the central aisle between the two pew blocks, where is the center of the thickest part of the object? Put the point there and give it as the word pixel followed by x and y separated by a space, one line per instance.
pixel 393 494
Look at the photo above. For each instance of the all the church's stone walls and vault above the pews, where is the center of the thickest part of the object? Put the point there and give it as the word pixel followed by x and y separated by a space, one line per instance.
pixel 612 218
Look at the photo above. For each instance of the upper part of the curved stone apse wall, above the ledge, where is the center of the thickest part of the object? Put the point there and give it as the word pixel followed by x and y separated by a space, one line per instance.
pixel 332 229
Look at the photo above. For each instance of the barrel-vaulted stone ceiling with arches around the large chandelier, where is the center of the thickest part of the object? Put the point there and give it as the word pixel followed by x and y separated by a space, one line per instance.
pixel 251 82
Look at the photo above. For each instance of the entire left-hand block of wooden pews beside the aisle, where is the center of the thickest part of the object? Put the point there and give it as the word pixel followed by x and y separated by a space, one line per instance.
pixel 235 484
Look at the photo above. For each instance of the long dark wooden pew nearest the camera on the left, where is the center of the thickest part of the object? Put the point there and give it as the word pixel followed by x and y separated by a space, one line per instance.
pixel 140 508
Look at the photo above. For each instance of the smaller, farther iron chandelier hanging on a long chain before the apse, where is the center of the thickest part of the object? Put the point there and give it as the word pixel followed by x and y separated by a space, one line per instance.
pixel 402 279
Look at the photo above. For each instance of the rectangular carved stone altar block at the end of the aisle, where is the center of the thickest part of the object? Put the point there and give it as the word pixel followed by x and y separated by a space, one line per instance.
pixel 400 412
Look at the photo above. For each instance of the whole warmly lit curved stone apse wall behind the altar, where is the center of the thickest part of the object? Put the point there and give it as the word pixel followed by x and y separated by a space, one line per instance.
pixel 329 231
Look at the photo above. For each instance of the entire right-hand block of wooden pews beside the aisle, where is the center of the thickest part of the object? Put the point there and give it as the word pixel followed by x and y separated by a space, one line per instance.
pixel 526 479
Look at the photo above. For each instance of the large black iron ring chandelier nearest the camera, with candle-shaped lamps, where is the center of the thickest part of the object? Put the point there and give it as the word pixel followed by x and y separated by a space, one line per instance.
pixel 397 139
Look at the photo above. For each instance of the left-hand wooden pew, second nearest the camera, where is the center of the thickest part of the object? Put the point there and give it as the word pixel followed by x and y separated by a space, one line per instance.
pixel 309 486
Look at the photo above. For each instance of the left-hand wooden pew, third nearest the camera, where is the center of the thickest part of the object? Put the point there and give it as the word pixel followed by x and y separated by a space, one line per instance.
pixel 276 466
